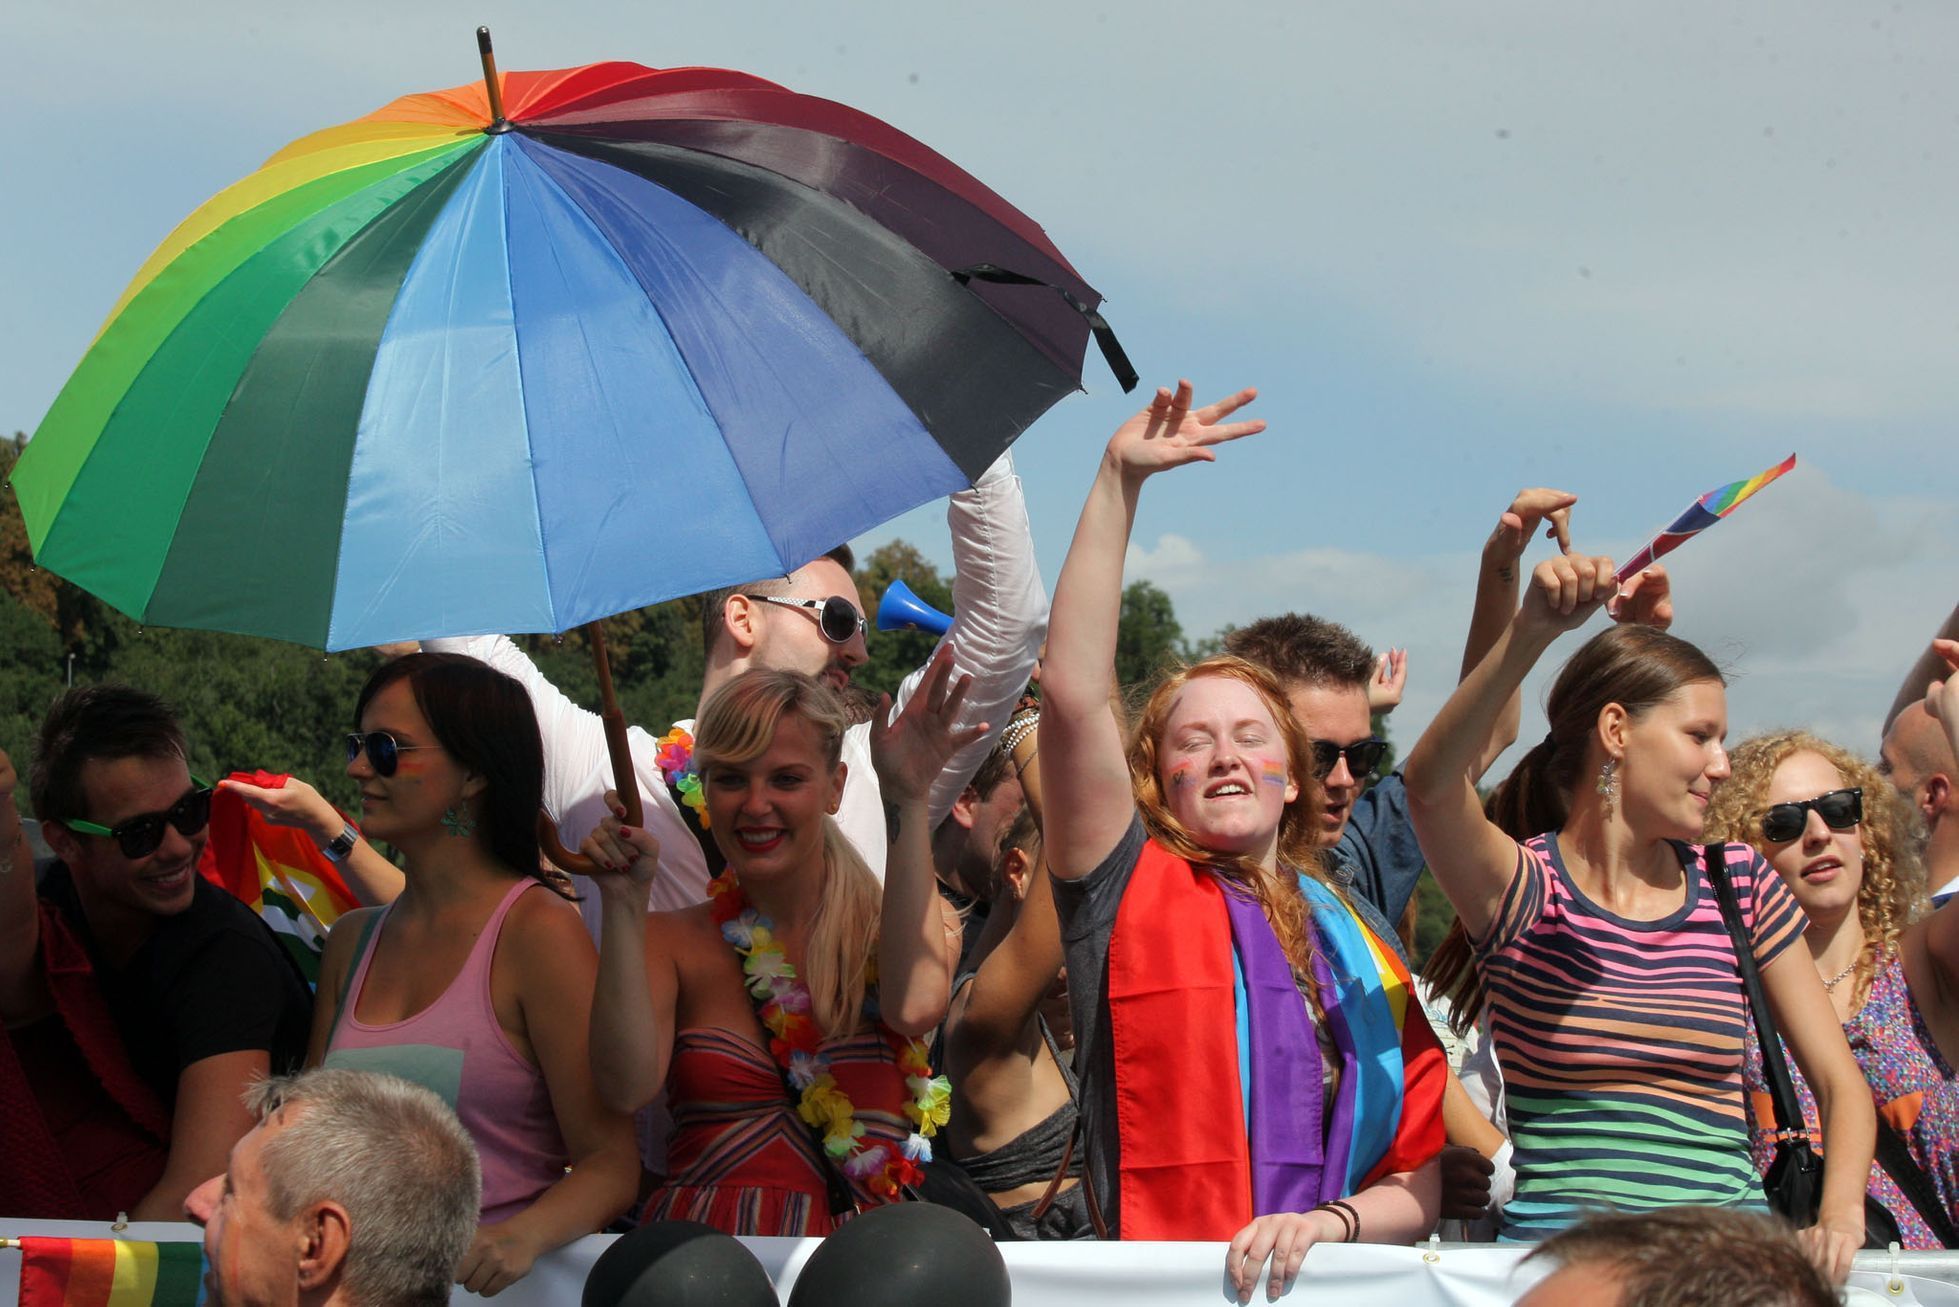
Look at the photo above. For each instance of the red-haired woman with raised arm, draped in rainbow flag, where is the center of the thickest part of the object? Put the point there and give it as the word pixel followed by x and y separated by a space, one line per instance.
pixel 1247 1073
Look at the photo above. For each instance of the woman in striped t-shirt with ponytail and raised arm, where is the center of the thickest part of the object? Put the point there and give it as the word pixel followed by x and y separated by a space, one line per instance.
pixel 1611 981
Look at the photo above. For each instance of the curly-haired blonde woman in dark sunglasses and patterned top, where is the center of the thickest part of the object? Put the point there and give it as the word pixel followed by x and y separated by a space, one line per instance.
pixel 1839 836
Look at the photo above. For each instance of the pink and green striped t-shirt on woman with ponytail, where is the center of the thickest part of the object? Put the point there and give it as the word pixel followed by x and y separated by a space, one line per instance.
pixel 1621 1041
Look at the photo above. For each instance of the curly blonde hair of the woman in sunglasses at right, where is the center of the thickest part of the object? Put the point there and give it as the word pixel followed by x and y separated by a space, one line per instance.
pixel 1893 891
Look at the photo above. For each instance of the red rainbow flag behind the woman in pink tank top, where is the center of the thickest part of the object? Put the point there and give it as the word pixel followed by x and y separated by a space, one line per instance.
pixel 275 871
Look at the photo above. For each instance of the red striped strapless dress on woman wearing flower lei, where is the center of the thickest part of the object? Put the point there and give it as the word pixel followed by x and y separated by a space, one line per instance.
pixel 740 1157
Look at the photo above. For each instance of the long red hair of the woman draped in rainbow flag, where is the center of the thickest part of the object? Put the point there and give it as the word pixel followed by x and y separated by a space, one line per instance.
pixel 1276 891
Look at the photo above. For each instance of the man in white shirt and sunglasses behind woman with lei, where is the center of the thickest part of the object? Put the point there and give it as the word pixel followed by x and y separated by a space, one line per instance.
pixel 1000 622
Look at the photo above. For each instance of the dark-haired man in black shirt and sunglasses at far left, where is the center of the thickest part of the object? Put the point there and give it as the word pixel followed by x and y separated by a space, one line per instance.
pixel 138 1000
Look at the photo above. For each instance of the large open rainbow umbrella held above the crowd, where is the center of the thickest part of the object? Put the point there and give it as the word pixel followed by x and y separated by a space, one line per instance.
pixel 526 354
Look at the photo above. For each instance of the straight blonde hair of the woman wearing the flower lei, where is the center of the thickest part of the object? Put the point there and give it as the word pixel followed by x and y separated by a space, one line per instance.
pixel 740 724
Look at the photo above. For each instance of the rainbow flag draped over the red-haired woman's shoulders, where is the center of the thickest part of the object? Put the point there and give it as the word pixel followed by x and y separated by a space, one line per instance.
pixel 1219 1100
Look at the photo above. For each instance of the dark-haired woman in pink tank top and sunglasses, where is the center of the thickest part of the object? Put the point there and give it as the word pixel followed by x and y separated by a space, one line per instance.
pixel 477 981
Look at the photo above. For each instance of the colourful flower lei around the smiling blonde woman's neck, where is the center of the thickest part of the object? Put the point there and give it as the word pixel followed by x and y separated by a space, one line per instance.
pixel 796 1043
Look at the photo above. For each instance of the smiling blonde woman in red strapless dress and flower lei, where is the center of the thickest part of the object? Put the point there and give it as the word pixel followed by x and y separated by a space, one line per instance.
pixel 785 1016
